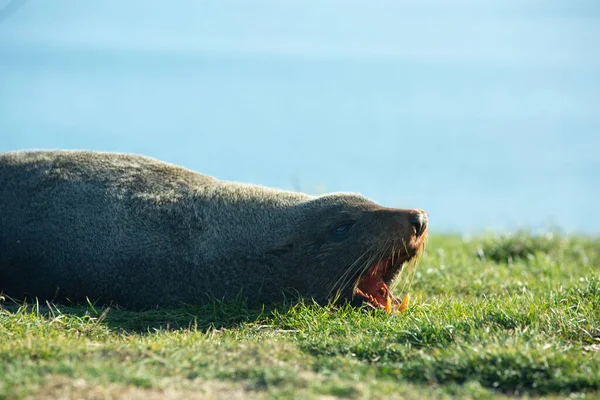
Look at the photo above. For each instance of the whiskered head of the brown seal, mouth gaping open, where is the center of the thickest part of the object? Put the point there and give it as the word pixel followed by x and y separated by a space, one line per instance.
pixel 348 248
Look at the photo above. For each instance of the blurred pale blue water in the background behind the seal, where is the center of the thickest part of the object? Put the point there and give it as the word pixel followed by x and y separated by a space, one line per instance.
pixel 486 114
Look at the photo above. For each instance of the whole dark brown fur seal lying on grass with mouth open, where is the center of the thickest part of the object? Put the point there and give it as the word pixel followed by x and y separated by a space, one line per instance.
pixel 141 233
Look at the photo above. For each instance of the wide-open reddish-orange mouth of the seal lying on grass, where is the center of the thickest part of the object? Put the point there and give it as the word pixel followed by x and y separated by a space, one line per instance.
pixel 373 284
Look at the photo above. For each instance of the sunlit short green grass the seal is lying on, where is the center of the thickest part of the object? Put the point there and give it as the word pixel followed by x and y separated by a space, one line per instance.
pixel 490 317
